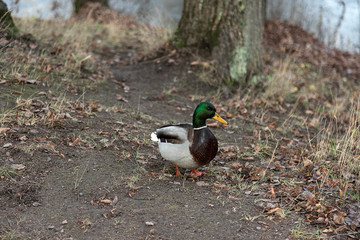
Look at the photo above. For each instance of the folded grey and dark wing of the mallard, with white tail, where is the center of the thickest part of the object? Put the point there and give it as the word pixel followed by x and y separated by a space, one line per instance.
pixel 175 134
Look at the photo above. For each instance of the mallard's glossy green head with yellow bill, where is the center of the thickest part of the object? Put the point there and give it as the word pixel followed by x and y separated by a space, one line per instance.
pixel 204 111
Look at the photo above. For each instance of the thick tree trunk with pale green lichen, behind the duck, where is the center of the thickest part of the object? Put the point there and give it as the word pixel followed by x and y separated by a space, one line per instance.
pixel 230 30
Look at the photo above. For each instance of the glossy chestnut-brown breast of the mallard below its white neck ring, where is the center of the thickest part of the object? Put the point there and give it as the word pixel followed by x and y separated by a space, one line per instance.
pixel 204 146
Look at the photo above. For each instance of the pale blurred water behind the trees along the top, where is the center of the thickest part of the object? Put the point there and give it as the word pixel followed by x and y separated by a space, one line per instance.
pixel 336 23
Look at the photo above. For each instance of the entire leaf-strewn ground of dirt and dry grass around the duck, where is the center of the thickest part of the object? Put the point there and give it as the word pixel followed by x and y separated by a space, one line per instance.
pixel 76 160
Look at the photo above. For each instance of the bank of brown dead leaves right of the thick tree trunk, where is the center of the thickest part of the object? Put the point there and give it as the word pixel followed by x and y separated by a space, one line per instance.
pixel 282 37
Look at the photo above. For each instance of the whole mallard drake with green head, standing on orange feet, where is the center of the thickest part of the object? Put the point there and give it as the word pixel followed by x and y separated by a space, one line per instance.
pixel 189 146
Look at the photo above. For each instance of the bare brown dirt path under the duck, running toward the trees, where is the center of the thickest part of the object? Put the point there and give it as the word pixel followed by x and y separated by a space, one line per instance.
pixel 112 184
